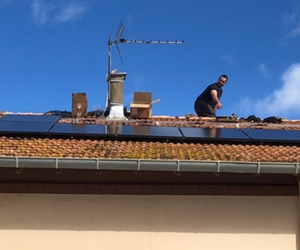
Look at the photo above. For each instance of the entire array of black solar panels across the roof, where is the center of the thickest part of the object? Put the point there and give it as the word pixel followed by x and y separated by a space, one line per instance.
pixel 48 125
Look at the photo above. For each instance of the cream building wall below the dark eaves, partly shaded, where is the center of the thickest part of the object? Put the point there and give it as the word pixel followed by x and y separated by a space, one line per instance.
pixel 29 221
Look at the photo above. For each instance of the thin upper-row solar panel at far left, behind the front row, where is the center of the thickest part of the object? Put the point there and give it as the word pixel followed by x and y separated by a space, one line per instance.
pixel 30 118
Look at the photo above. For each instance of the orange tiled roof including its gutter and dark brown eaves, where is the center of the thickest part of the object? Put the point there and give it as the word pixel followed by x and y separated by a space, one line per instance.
pixel 132 165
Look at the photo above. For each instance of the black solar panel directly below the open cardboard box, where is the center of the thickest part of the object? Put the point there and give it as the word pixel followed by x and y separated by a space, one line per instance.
pixel 149 132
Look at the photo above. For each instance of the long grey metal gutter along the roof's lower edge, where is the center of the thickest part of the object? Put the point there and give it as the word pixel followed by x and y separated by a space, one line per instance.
pixel 151 165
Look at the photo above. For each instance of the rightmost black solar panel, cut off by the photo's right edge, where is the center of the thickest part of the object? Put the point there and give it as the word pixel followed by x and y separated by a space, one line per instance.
pixel 272 135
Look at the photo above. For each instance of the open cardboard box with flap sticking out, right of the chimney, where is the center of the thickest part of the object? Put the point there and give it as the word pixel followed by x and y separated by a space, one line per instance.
pixel 141 107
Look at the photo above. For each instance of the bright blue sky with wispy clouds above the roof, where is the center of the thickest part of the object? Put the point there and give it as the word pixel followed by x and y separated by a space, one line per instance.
pixel 50 49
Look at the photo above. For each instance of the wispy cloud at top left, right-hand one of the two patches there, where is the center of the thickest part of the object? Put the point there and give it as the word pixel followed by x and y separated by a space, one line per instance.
pixel 69 12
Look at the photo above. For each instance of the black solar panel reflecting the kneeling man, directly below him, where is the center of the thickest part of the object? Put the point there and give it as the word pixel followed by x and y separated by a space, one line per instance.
pixel 213 133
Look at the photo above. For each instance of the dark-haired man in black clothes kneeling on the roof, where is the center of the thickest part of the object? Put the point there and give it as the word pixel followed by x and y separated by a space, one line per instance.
pixel 208 102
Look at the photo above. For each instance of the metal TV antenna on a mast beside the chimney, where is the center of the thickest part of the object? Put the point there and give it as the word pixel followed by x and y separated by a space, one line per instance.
pixel 116 42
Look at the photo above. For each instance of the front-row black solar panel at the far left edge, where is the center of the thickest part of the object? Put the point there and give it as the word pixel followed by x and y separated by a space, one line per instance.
pixel 24 127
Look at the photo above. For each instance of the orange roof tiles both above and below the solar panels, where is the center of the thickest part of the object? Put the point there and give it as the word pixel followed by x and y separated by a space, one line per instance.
pixel 133 148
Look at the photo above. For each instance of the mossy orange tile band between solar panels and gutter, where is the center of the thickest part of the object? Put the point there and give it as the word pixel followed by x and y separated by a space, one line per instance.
pixel 87 148
